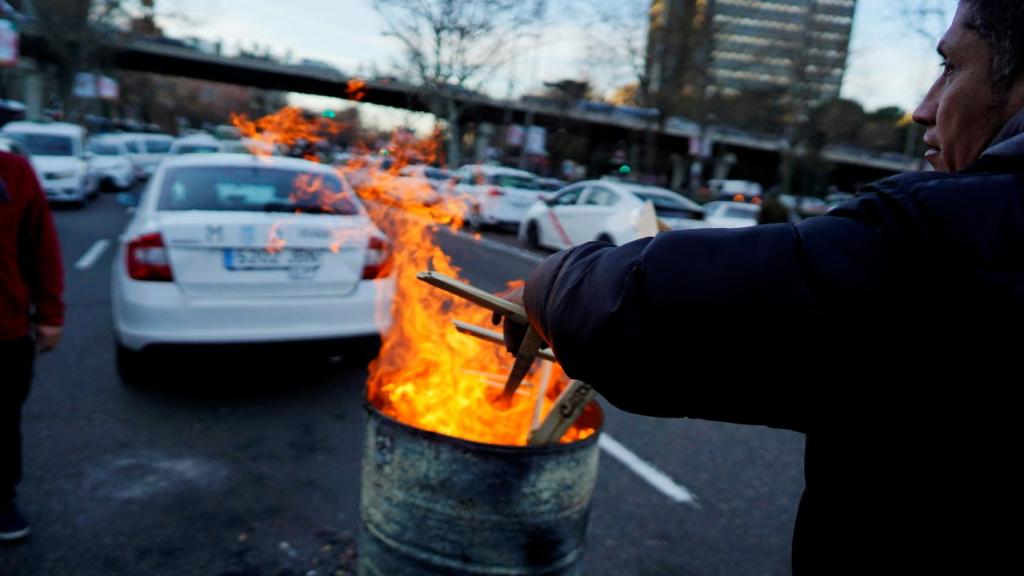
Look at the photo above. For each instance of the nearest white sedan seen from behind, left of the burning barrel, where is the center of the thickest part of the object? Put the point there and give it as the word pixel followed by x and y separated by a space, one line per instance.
pixel 231 249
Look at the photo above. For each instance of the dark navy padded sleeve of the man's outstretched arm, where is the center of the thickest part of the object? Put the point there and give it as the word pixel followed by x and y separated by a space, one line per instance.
pixel 701 323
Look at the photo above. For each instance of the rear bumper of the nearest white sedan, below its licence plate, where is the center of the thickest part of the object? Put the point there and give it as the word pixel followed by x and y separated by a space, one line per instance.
pixel 148 314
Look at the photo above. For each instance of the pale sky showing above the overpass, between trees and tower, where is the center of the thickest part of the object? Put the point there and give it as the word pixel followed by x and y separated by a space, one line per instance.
pixel 889 65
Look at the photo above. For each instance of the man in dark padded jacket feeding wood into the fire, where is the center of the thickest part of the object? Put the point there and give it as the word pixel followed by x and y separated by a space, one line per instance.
pixel 905 308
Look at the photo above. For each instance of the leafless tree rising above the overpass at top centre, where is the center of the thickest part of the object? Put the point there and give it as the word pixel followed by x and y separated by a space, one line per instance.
pixel 454 47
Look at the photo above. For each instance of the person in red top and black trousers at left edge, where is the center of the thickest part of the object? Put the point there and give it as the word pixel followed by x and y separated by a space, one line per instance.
pixel 31 315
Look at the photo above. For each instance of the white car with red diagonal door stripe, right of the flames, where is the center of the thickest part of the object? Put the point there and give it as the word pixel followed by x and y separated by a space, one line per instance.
pixel 608 211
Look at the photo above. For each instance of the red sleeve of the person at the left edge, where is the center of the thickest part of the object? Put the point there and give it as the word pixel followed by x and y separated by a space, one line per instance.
pixel 45 270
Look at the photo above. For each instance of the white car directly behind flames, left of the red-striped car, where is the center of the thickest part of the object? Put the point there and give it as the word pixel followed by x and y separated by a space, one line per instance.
pixel 497 196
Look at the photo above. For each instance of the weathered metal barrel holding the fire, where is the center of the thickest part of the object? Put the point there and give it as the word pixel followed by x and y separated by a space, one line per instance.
pixel 436 505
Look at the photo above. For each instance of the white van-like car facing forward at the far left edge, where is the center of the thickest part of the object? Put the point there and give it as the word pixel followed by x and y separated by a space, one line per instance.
pixel 60 157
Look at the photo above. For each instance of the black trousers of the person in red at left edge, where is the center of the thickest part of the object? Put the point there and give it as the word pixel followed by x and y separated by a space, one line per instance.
pixel 17 359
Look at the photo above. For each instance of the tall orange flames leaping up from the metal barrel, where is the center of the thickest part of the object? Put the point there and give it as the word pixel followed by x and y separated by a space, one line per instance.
pixel 428 375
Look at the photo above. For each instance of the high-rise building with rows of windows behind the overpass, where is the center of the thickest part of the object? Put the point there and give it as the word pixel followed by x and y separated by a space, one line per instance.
pixel 731 47
